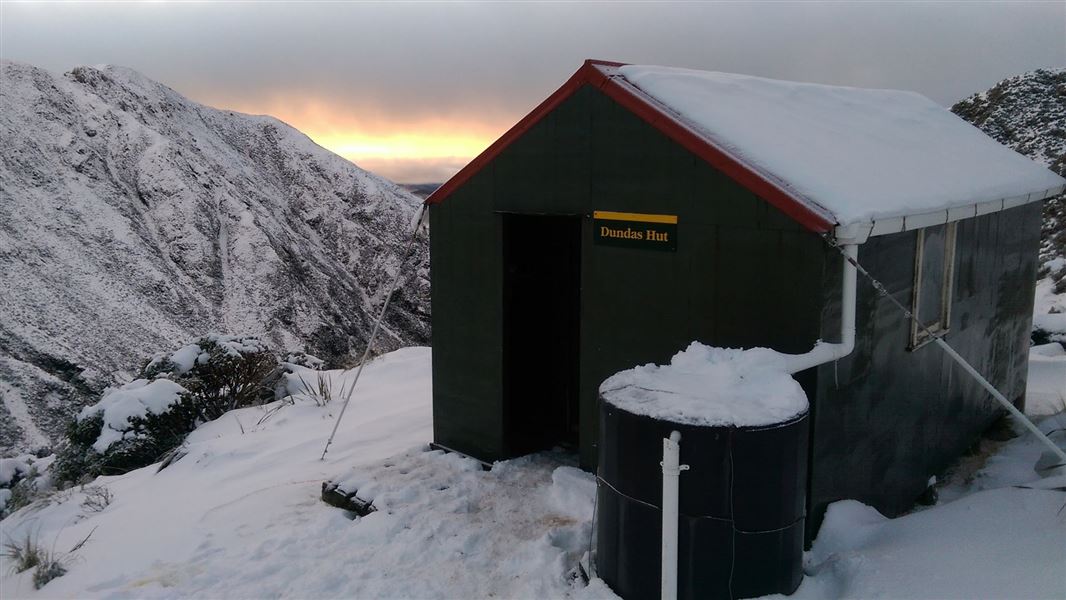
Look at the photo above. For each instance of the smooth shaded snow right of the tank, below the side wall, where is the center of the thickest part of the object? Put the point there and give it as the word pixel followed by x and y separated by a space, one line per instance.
pixel 999 532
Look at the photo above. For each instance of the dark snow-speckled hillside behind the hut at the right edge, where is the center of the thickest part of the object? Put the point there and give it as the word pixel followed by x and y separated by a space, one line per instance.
pixel 1028 113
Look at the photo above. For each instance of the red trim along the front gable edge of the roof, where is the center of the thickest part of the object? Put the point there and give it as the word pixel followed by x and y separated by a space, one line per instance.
pixel 595 73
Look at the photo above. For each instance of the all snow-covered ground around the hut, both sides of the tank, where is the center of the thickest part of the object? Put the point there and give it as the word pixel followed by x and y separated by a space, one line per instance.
pixel 240 517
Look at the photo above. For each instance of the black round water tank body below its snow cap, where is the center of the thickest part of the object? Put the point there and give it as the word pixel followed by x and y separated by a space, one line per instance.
pixel 741 504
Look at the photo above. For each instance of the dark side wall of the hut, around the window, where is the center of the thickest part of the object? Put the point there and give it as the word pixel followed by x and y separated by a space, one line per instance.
pixel 887 418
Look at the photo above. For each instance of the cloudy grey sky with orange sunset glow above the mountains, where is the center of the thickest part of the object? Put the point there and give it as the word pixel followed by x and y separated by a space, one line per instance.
pixel 413 91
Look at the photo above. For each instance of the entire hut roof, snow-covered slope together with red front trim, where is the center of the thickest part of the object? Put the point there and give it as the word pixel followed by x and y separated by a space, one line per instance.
pixel 864 161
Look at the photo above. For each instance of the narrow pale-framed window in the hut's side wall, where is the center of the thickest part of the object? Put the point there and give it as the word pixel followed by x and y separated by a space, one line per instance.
pixel 934 274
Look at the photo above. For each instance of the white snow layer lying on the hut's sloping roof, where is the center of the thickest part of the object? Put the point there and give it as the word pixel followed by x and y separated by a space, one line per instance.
pixel 861 155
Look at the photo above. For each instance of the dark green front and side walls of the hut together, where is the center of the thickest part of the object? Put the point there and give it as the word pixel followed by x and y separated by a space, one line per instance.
pixel 744 275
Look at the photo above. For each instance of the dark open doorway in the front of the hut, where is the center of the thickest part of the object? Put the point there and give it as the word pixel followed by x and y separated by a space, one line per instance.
pixel 542 312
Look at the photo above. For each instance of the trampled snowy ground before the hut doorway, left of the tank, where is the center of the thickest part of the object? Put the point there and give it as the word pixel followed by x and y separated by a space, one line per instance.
pixel 240 515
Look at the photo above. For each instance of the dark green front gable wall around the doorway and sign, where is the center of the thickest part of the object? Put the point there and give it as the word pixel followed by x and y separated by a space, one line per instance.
pixel 744 273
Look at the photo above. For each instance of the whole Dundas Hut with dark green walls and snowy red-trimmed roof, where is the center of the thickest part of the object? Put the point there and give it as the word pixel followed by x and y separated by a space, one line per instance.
pixel 639 209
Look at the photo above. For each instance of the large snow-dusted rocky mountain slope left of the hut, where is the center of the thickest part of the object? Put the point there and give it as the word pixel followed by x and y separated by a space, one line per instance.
pixel 134 220
